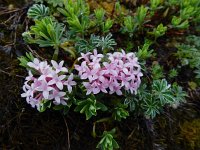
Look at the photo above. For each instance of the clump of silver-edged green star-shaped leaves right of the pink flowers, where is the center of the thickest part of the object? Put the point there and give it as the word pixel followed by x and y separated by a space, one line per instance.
pixel 150 101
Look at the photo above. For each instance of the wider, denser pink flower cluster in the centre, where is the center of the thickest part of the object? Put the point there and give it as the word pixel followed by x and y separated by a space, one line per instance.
pixel 111 73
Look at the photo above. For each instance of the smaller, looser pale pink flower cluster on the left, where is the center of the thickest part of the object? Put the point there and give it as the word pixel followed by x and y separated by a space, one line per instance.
pixel 48 84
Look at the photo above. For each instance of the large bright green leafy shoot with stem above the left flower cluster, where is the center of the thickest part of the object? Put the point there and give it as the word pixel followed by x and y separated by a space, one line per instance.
pixel 46 32
